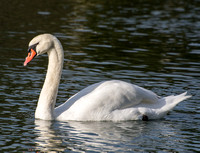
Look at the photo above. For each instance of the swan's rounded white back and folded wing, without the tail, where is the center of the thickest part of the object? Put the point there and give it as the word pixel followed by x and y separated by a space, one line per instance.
pixel 102 99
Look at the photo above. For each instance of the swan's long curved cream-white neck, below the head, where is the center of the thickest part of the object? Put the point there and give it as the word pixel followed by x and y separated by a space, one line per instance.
pixel 47 99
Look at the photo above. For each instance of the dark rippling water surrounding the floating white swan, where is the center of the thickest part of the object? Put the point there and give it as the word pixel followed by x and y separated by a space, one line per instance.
pixel 152 44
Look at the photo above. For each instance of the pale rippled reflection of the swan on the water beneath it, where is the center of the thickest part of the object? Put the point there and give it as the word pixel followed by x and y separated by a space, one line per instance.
pixel 100 136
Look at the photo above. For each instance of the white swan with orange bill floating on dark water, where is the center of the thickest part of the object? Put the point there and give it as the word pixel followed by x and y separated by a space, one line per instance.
pixel 108 100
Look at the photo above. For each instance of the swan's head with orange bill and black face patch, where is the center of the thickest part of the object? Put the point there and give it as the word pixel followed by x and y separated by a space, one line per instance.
pixel 39 45
